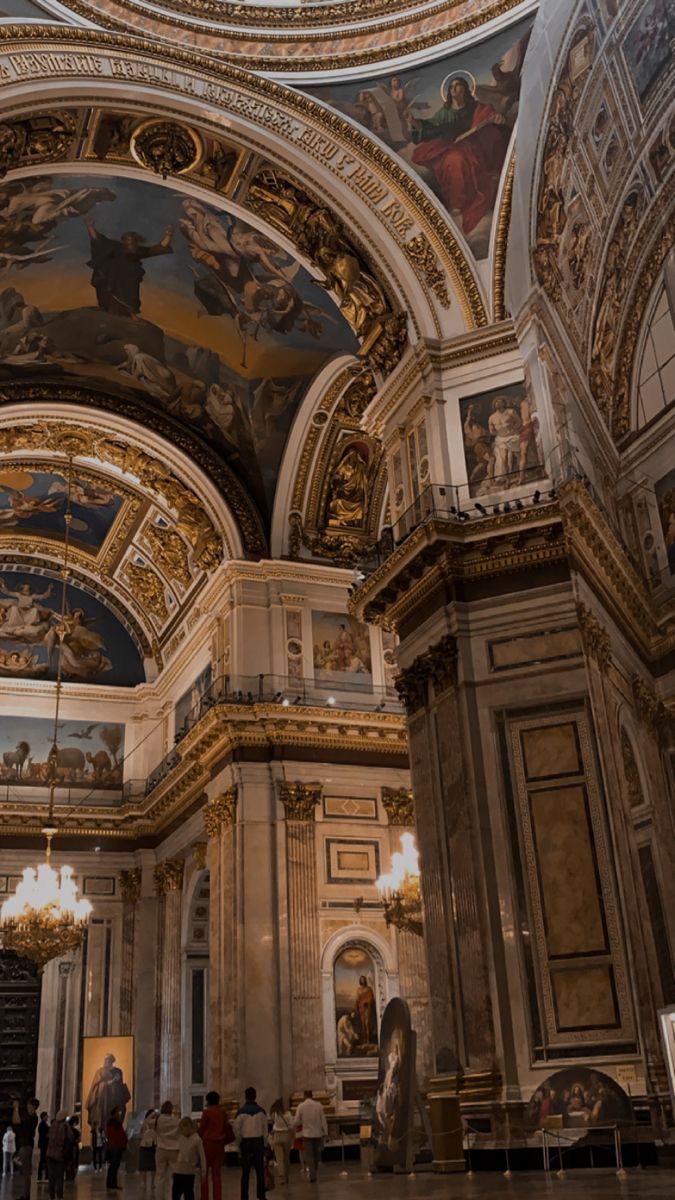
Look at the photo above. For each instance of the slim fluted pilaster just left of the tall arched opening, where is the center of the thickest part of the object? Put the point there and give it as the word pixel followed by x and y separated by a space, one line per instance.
pixel 169 886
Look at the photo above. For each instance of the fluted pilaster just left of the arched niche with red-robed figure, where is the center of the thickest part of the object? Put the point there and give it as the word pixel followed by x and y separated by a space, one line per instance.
pixel 307 1024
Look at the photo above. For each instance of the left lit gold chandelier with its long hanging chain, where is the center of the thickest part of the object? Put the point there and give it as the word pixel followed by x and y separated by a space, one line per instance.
pixel 45 919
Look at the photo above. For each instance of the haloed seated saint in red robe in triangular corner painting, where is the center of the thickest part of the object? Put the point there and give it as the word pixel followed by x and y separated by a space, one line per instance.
pixel 465 146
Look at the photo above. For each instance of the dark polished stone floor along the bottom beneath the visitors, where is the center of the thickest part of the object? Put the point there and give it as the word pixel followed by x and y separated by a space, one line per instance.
pixel 653 1184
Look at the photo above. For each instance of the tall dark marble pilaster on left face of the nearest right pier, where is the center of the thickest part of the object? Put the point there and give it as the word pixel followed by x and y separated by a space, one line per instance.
pixel 447 832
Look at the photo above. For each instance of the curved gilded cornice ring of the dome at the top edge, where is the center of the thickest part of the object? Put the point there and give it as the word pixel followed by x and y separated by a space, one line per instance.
pixel 291 47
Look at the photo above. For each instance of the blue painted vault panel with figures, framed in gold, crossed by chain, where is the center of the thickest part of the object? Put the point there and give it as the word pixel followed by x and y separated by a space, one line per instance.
pixel 35 502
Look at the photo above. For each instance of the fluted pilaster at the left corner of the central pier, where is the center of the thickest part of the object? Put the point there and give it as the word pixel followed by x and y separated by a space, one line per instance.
pixel 220 823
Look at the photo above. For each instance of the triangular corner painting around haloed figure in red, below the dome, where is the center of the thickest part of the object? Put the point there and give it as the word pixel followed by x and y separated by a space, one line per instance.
pixel 450 121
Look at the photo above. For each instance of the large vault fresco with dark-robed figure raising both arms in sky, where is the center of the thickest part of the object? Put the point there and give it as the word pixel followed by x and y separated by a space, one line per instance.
pixel 146 292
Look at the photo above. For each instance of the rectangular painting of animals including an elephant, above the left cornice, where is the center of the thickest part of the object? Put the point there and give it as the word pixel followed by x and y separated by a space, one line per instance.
pixel 88 755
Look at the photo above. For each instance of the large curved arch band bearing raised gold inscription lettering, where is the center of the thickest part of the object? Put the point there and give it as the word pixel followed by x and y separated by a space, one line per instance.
pixel 37 55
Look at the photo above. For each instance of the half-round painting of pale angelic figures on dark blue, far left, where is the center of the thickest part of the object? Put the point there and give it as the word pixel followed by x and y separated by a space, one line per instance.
pixel 91 643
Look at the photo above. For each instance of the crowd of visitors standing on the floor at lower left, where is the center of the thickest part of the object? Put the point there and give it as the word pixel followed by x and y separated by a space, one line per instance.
pixel 171 1148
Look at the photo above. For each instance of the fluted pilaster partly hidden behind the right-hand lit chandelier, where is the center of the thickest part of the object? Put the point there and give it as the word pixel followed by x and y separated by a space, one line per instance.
pixel 414 975
